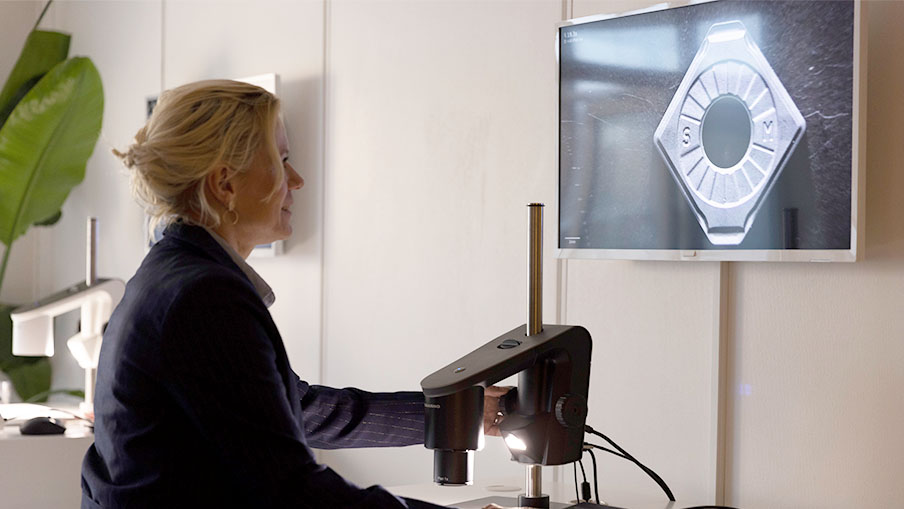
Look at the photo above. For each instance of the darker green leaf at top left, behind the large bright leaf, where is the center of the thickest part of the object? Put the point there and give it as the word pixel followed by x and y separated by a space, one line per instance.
pixel 42 51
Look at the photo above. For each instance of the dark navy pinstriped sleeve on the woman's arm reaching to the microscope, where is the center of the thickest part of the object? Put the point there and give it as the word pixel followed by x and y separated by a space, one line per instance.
pixel 347 418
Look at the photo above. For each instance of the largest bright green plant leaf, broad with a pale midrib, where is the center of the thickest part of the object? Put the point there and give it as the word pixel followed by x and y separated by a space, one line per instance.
pixel 45 144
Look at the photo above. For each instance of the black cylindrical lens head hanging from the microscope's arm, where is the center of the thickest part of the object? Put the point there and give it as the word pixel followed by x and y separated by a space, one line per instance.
pixel 453 429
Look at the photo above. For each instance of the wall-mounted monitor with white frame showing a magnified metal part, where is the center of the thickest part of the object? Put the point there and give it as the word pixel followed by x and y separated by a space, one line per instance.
pixel 719 130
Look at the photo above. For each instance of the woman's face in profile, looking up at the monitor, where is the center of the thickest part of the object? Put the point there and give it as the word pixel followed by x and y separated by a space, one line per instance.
pixel 262 220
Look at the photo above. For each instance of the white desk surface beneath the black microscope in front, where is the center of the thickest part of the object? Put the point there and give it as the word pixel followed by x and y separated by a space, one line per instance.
pixel 562 492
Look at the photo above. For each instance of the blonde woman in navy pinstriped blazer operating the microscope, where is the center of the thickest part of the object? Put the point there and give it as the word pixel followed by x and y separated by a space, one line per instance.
pixel 196 403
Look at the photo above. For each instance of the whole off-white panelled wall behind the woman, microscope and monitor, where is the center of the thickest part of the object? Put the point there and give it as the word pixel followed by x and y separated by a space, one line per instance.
pixel 422 129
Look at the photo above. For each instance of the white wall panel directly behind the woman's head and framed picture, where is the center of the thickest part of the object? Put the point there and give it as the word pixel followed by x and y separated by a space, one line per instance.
pixel 234 39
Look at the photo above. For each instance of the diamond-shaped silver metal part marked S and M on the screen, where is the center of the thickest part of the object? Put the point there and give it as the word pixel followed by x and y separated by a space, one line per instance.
pixel 728 132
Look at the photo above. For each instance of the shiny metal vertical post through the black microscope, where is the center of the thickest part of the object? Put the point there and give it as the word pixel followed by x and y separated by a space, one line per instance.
pixel 534 477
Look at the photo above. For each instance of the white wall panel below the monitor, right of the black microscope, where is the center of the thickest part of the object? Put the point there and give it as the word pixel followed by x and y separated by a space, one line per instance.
pixel 651 381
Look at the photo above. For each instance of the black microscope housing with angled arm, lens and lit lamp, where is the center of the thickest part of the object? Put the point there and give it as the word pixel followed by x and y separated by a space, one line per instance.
pixel 544 417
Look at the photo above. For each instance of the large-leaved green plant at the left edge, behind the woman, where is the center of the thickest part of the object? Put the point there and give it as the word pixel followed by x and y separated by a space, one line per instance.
pixel 51 108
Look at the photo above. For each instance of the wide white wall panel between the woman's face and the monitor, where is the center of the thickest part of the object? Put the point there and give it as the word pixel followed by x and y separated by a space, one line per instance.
pixel 441 128
